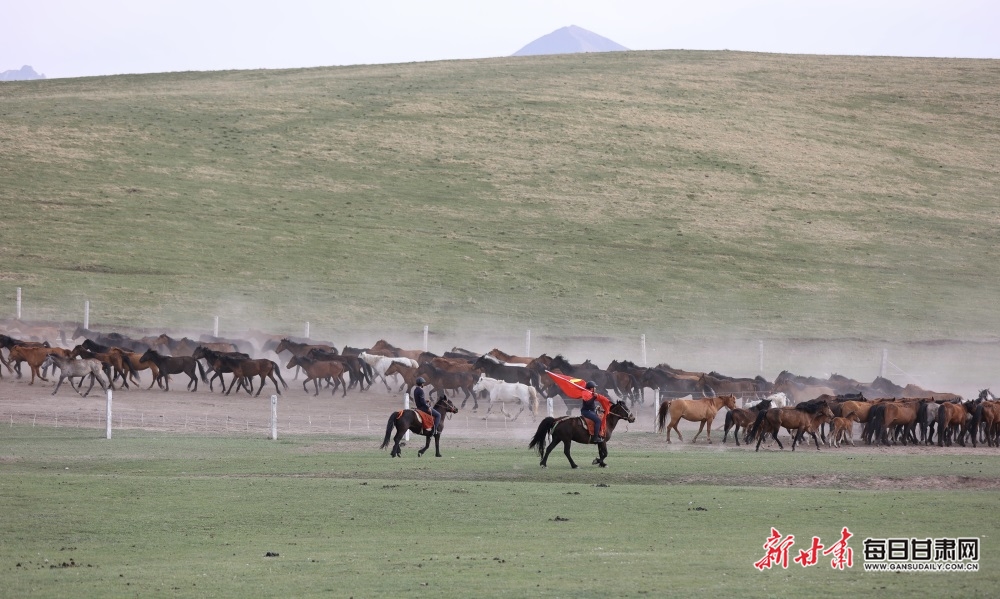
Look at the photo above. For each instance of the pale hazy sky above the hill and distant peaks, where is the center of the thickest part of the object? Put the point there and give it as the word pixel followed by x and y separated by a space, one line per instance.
pixel 77 38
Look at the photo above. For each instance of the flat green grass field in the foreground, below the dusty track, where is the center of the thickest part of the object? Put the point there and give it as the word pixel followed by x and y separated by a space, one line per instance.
pixel 154 515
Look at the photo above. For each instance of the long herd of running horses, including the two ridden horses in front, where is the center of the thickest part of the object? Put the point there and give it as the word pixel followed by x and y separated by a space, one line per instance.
pixel 821 408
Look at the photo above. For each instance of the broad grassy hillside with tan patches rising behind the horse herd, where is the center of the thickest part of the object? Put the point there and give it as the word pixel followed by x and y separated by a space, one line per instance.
pixel 700 194
